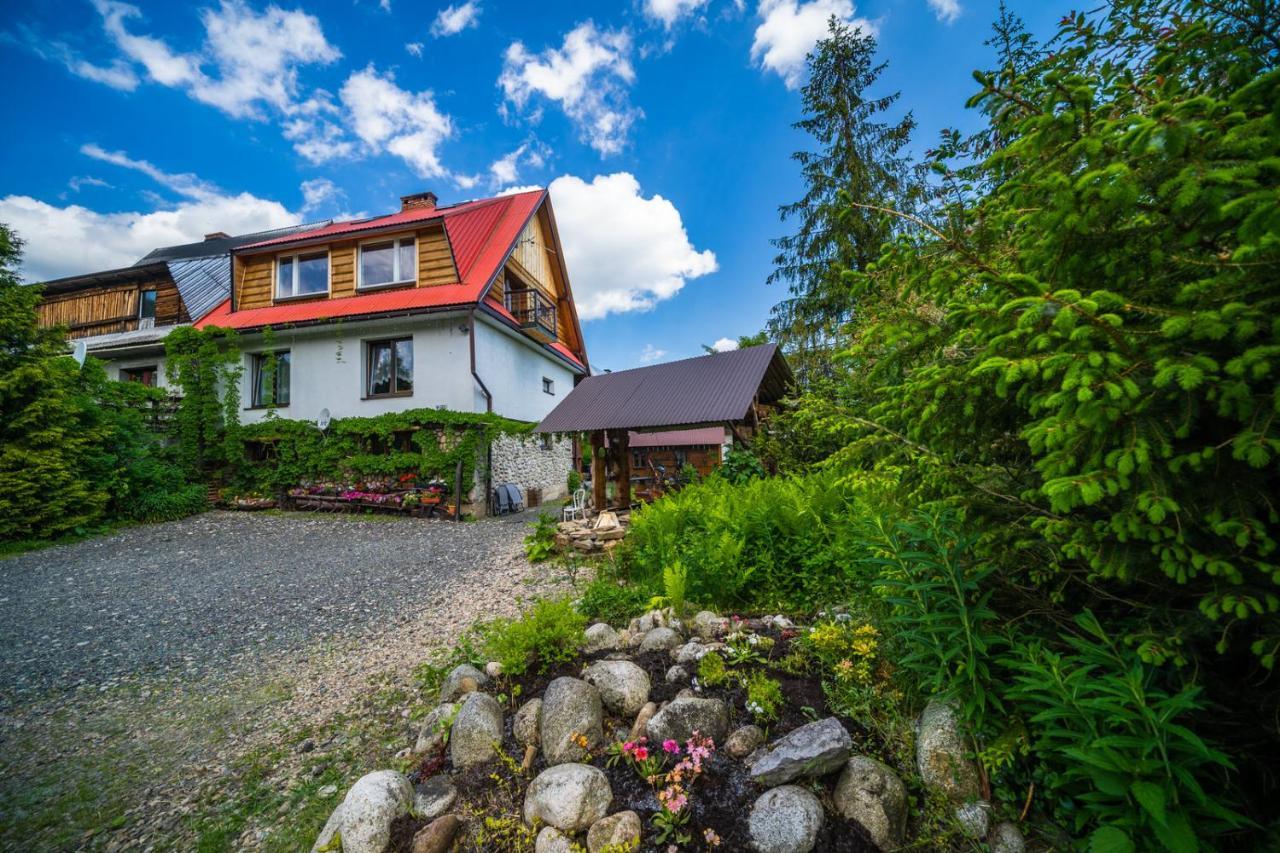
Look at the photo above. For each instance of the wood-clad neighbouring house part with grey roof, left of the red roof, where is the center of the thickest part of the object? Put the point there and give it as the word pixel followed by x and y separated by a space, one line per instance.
pixel 124 316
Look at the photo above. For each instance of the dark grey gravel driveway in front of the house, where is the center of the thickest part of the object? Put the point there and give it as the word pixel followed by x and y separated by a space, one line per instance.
pixel 186 597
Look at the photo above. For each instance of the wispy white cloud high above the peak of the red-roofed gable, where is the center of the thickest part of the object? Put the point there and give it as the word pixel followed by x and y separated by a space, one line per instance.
pixel 588 77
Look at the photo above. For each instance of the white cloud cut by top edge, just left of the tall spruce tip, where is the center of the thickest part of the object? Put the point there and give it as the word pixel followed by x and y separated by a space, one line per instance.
pixel 789 30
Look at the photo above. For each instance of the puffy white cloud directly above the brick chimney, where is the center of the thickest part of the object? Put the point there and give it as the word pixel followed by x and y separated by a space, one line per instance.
pixel 387 118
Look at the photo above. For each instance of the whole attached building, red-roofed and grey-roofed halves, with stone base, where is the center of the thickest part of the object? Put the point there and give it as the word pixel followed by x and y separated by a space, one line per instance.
pixel 465 308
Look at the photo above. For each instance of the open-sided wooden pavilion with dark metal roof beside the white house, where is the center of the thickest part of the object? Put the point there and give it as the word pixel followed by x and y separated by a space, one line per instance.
pixel 688 412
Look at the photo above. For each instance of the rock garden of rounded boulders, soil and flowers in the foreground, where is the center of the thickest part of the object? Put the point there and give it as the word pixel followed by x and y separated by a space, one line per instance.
pixel 664 735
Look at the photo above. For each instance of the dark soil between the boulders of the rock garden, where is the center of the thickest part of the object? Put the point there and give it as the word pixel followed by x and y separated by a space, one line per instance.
pixel 720 801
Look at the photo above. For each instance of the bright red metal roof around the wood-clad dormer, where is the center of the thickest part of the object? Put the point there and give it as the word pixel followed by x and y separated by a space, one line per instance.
pixel 482 235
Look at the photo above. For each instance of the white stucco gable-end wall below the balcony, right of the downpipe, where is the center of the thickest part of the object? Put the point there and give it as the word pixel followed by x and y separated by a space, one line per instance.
pixel 513 370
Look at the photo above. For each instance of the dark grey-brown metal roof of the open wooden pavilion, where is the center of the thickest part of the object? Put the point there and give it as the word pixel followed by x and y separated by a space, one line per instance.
pixel 708 390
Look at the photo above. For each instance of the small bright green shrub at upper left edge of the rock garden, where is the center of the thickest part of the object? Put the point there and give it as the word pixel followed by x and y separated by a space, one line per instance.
pixel 550 633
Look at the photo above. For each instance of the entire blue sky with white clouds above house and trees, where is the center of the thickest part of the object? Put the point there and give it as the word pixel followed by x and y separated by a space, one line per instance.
pixel 661 126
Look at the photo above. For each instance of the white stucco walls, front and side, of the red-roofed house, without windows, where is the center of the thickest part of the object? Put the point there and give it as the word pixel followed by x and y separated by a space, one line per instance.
pixel 328 368
